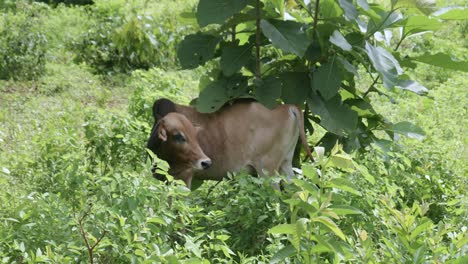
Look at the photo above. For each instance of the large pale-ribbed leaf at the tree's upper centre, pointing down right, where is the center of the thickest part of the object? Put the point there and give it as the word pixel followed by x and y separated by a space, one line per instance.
pixel 289 36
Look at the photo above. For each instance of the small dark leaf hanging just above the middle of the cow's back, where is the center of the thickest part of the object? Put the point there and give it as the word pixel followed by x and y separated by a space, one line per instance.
pixel 269 91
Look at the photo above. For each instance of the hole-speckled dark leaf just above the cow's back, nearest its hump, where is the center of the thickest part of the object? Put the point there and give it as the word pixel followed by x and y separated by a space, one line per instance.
pixel 221 91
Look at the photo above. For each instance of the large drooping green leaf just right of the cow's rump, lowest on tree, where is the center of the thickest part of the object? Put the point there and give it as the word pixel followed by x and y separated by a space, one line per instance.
pixel 334 116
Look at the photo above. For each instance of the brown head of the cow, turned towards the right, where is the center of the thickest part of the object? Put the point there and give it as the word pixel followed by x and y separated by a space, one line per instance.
pixel 174 139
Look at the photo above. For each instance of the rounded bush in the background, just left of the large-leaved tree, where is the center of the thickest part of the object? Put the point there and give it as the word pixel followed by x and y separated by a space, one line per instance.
pixel 122 43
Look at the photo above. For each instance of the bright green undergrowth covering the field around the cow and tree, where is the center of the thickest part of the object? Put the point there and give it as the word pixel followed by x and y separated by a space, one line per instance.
pixel 76 87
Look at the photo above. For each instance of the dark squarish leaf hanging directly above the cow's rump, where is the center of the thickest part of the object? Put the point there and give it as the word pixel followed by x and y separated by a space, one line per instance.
pixel 294 87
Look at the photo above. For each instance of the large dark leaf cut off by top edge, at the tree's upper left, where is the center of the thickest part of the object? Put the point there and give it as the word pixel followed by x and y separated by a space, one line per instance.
pixel 217 11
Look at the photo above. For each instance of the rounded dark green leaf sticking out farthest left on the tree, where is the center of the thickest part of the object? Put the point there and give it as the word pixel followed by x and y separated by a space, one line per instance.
pixel 196 49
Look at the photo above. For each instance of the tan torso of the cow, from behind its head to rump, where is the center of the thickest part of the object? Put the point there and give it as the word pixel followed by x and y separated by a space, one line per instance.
pixel 244 135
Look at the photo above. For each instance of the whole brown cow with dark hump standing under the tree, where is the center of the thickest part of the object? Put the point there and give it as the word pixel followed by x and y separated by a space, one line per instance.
pixel 244 135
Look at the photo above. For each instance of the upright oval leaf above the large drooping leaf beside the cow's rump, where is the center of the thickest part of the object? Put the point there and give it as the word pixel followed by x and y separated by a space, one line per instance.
pixel 327 79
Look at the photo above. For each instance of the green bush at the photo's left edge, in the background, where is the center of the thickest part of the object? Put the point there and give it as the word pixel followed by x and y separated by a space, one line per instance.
pixel 22 44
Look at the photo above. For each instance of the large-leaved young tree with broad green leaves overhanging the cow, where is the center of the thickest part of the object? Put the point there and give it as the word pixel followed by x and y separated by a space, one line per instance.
pixel 328 55
